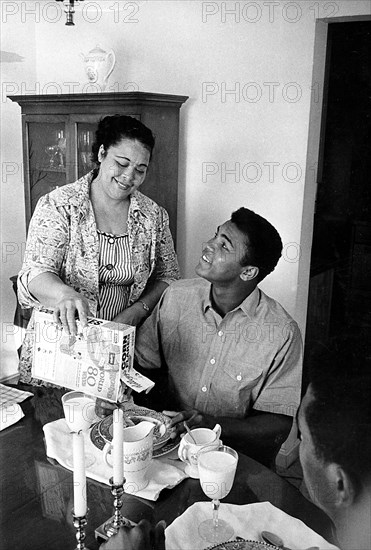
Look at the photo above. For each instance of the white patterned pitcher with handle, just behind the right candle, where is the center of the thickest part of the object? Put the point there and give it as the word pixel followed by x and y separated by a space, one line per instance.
pixel 138 449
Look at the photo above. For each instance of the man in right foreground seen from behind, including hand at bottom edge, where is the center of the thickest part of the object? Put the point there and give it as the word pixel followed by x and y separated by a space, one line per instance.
pixel 335 424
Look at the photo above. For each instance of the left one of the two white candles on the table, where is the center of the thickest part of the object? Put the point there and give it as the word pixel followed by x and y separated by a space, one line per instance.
pixel 79 477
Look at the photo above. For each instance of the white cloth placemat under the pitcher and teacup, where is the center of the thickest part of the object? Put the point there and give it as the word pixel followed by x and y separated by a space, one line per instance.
pixel 163 471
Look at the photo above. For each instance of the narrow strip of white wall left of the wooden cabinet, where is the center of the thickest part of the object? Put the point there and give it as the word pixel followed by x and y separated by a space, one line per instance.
pixel 18 51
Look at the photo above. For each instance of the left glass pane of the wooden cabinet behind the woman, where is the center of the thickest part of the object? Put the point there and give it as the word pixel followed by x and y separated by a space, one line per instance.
pixel 47 158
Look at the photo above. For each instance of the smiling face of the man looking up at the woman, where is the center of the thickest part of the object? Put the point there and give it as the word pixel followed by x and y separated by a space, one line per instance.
pixel 221 258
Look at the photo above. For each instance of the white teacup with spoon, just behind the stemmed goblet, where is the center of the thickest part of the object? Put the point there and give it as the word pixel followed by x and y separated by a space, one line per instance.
pixel 188 449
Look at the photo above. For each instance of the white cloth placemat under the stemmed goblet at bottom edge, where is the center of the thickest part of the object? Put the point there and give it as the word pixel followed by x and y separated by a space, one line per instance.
pixel 248 522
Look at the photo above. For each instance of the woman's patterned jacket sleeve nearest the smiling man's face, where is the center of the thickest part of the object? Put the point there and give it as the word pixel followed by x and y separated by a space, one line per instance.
pixel 167 268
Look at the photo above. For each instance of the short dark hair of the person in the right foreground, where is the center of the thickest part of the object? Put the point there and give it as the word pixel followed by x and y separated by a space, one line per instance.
pixel 339 416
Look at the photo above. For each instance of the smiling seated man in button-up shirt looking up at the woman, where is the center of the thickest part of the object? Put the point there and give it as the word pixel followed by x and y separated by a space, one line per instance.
pixel 232 354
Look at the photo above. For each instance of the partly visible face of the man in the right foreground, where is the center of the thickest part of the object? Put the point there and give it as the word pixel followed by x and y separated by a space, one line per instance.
pixel 314 469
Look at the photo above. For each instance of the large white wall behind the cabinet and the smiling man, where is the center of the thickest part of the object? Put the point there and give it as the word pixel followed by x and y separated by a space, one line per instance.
pixel 264 52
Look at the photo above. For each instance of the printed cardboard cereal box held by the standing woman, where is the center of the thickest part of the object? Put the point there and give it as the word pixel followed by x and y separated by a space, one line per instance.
pixel 93 362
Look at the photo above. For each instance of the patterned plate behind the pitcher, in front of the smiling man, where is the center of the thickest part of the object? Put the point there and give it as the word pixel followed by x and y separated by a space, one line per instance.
pixel 161 434
